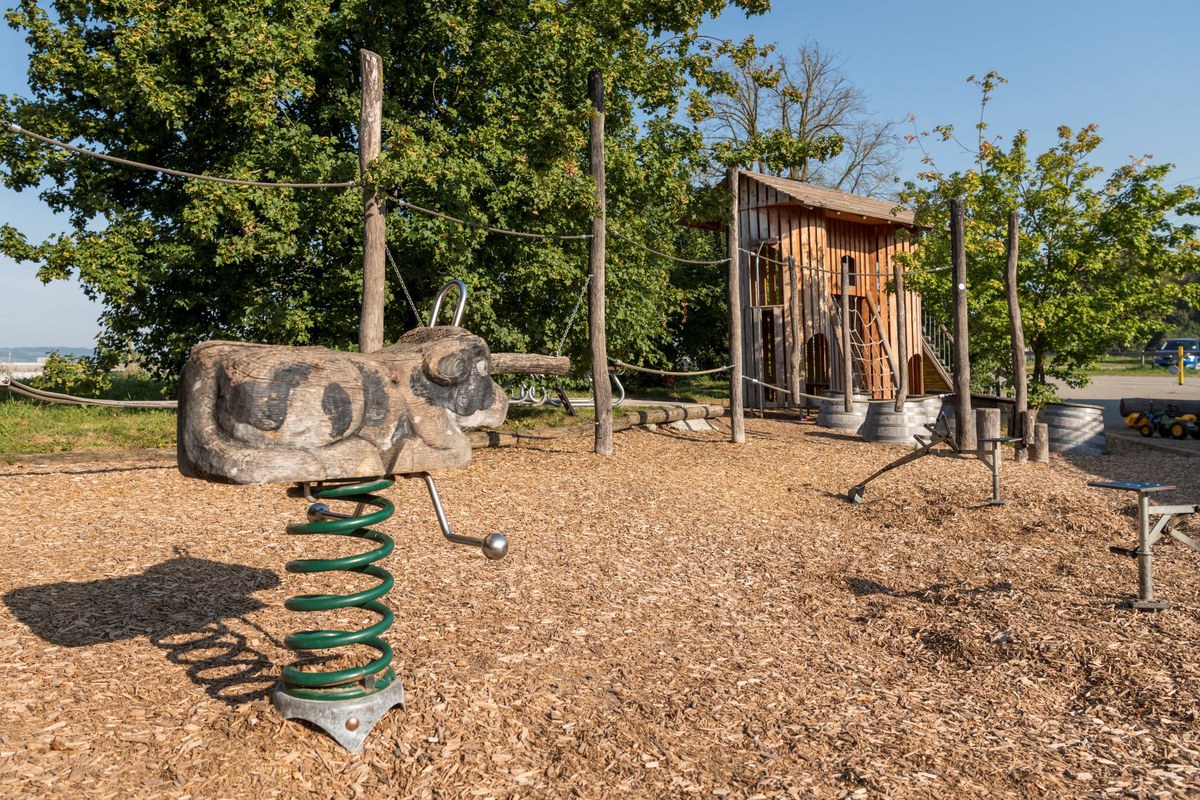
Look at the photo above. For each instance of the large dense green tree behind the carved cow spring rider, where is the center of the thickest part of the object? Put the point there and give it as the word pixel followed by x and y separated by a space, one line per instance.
pixel 485 117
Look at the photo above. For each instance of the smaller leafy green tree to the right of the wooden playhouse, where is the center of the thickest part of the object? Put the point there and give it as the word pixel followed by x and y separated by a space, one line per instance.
pixel 1101 258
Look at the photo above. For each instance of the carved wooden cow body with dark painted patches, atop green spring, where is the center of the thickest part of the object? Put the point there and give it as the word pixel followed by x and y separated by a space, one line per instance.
pixel 263 414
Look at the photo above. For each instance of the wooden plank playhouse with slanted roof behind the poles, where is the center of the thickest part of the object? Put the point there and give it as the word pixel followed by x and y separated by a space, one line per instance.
pixel 794 234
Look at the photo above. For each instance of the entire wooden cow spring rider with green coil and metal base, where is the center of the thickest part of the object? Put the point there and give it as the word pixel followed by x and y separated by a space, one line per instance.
pixel 333 423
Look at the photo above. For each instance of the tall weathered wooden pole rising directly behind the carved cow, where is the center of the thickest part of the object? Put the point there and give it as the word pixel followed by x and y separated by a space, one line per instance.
pixel 374 231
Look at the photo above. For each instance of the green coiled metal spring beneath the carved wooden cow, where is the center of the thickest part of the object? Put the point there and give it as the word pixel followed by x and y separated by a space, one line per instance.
pixel 379 675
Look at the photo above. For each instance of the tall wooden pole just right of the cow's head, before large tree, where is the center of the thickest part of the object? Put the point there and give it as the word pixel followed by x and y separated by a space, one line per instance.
pixel 602 390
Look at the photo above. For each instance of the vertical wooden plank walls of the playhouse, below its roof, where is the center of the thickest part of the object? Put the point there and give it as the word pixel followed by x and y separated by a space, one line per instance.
pixel 818 240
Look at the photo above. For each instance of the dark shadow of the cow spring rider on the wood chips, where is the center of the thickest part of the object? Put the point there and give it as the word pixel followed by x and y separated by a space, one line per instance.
pixel 183 606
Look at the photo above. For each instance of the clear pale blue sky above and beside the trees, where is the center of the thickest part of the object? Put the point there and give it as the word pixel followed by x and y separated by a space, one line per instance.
pixel 1132 70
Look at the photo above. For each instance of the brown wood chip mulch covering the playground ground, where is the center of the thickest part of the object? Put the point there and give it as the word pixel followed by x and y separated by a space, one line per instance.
pixel 686 619
